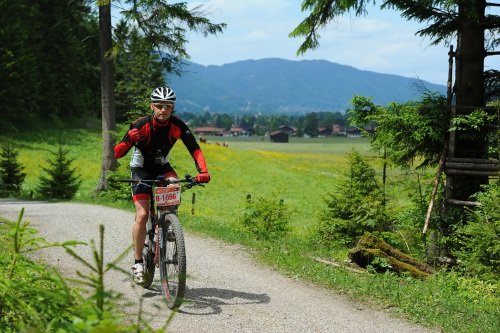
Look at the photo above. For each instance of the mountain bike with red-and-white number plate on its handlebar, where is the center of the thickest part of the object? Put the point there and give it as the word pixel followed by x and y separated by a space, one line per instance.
pixel 164 247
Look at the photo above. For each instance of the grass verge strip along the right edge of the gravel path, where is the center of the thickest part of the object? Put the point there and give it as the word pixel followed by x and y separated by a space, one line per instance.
pixel 445 300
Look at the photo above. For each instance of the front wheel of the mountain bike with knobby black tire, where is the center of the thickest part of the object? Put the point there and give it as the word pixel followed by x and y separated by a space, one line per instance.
pixel 172 260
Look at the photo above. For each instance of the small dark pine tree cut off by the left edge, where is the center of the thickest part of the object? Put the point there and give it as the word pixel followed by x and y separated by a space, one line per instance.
pixel 12 175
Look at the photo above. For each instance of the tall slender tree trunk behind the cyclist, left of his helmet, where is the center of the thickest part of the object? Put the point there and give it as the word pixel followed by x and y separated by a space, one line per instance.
pixel 107 93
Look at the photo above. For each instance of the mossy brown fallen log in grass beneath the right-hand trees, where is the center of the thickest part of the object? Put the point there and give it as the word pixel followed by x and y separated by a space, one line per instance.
pixel 370 247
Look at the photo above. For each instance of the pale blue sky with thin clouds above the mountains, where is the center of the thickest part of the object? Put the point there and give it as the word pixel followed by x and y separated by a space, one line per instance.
pixel 381 41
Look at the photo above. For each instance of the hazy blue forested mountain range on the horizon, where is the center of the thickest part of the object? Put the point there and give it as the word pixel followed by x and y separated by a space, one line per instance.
pixel 272 85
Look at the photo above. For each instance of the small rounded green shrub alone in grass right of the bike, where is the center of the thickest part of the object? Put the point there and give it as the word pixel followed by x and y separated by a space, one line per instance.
pixel 266 218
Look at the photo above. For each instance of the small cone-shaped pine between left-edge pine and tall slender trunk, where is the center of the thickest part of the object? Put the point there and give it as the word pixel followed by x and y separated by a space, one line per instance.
pixel 61 181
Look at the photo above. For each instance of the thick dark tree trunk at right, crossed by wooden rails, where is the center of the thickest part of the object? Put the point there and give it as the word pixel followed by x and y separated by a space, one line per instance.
pixel 469 87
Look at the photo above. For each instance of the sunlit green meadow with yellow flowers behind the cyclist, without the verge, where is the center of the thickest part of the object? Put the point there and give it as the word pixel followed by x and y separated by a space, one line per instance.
pixel 301 172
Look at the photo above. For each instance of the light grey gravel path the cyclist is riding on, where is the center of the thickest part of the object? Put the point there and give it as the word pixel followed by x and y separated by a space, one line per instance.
pixel 226 290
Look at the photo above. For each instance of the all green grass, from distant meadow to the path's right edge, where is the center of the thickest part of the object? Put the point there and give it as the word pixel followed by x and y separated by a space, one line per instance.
pixel 301 173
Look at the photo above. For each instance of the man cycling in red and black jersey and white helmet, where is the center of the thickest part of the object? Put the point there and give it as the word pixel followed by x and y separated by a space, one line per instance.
pixel 152 137
